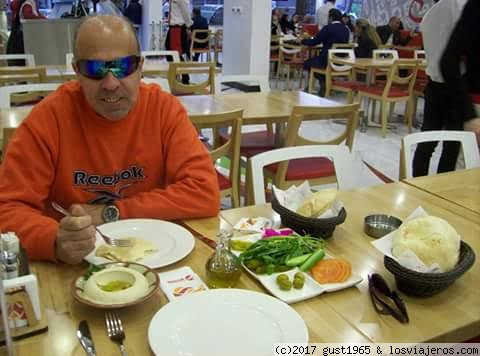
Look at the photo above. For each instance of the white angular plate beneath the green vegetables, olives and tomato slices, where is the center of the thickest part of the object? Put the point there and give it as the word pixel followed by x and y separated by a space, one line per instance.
pixel 310 289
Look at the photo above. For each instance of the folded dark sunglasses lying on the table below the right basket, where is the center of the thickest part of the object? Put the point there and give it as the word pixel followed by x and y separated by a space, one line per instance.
pixel 384 300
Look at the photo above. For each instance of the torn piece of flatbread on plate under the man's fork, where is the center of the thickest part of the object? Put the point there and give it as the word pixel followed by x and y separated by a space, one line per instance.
pixel 133 253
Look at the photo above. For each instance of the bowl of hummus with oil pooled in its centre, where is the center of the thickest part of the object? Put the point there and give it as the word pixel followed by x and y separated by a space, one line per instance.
pixel 116 285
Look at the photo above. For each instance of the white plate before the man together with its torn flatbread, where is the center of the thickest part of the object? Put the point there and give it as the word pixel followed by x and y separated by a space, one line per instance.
pixel 155 243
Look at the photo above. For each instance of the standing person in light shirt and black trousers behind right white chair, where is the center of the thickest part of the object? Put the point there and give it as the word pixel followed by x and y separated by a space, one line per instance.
pixel 440 107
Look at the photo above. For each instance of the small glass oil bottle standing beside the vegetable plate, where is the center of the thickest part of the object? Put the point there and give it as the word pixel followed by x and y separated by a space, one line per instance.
pixel 223 268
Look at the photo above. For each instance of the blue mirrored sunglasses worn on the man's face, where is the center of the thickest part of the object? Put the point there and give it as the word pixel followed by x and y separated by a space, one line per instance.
pixel 98 69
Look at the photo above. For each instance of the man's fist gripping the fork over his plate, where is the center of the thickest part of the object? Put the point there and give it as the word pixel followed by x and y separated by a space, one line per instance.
pixel 75 237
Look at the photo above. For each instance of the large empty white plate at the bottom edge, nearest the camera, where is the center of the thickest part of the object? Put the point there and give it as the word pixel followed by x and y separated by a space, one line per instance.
pixel 221 322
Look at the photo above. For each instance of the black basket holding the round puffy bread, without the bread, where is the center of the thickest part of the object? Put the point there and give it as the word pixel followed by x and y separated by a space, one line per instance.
pixel 427 284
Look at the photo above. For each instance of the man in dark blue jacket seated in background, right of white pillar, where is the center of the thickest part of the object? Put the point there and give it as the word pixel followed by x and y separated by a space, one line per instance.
pixel 334 32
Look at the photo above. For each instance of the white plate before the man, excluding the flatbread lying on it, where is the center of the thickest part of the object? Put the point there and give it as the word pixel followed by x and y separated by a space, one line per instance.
pixel 173 241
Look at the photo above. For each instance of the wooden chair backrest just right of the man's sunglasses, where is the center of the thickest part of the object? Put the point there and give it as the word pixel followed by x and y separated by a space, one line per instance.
pixel 175 70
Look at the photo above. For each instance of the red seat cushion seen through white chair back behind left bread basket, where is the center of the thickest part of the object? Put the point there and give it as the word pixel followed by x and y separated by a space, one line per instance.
pixel 307 168
